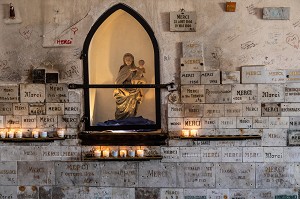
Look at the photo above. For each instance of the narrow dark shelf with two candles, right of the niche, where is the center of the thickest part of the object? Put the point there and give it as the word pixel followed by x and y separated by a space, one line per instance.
pixel 223 137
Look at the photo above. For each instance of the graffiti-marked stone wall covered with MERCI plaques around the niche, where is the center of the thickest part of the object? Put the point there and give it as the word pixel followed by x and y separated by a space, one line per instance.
pixel 212 99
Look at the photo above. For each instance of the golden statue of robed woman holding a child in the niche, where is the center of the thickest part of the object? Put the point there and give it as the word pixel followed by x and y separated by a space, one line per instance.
pixel 128 99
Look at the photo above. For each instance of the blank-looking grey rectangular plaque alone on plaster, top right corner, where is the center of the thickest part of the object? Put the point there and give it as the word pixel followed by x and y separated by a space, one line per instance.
pixel 273 13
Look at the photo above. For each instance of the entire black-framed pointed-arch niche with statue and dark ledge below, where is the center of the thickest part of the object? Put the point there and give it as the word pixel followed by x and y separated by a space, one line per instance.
pixel 118 31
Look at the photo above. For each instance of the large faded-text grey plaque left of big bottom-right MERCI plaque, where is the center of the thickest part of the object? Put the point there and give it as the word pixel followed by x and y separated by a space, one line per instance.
pixel 235 175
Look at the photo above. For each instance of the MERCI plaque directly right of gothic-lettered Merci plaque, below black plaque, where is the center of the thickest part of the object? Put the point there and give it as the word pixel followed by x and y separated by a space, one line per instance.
pixel 57 93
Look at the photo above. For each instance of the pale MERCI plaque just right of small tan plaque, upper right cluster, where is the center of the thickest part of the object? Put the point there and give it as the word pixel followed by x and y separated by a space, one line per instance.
pixel 253 74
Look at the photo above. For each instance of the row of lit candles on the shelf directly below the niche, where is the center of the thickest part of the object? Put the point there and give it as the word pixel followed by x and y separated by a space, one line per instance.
pixel 115 153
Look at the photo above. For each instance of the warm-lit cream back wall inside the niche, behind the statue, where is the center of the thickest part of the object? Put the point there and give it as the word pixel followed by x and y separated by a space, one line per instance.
pixel 120 33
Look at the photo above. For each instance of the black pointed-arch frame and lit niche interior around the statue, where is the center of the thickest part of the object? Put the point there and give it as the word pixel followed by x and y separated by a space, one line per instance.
pixel 118 31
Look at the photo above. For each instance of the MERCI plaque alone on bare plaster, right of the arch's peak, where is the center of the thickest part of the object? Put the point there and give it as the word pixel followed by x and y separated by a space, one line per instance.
pixel 183 21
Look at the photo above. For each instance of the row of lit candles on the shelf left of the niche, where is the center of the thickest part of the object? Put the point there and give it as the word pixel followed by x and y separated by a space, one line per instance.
pixel 35 134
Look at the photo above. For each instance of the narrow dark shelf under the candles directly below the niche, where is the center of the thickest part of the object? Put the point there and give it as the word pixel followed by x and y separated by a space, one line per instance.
pixel 146 158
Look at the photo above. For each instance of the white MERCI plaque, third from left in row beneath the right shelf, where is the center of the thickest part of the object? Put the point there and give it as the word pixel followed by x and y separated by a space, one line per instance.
pixel 211 154
